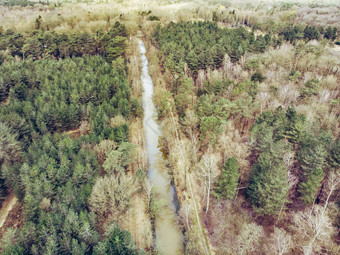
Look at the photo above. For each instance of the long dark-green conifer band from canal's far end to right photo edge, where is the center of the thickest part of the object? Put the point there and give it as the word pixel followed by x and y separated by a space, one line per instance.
pixel 200 45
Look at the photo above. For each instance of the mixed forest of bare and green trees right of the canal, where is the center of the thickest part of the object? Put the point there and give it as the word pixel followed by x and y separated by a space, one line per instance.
pixel 223 98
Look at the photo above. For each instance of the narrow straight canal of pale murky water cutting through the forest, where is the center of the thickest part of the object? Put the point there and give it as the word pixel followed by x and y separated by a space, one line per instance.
pixel 169 239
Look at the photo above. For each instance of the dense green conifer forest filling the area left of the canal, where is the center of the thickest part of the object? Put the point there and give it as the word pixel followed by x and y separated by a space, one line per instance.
pixel 55 174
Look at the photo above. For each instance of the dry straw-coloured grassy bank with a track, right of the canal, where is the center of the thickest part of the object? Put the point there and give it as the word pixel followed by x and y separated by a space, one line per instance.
pixel 179 150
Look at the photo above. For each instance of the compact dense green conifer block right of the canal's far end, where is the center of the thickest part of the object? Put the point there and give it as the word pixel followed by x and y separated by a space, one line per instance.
pixel 204 44
